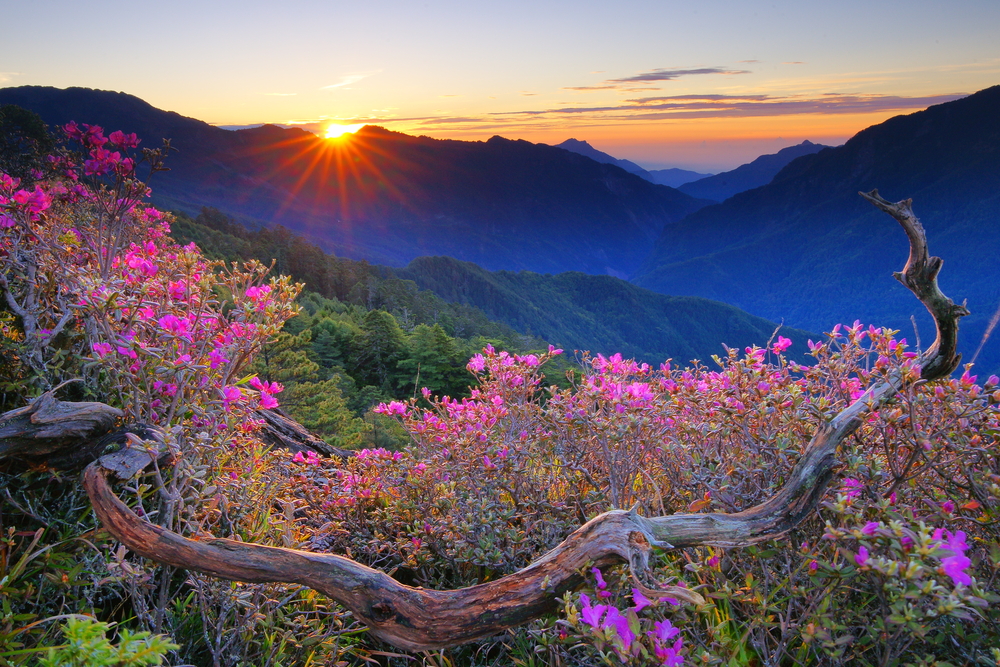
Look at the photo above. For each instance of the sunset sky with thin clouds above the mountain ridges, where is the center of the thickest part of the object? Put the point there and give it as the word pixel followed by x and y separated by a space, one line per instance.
pixel 704 84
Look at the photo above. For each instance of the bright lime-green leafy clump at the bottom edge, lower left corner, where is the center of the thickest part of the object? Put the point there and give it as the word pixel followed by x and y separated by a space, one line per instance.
pixel 87 645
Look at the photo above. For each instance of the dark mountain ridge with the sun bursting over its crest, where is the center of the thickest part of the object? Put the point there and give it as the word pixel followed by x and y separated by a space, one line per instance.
pixel 390 197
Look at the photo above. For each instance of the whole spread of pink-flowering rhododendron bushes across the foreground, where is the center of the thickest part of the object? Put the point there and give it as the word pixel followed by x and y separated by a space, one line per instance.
pixel 898 566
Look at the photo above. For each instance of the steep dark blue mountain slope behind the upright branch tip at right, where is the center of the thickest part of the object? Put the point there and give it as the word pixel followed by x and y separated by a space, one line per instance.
pixel 807 249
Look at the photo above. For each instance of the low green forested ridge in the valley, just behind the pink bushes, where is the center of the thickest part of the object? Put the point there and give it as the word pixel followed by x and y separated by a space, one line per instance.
pixel 598 313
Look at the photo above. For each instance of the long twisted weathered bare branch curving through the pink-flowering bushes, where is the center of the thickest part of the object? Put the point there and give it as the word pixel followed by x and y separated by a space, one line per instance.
pixel 417 619
